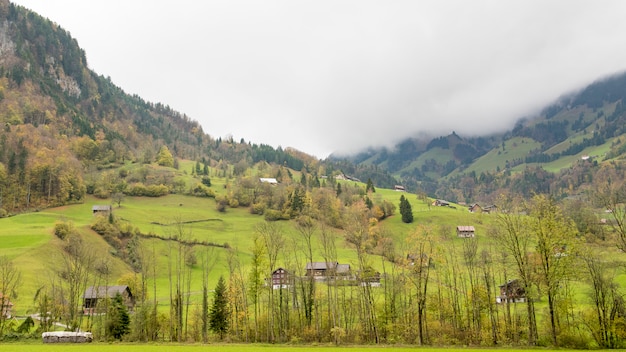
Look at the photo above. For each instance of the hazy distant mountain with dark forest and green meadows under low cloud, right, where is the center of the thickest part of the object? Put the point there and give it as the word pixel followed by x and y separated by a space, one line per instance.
pixel 544 154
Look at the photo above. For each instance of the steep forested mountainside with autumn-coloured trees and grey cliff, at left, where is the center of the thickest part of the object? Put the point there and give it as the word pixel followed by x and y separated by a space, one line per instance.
pixel 60 119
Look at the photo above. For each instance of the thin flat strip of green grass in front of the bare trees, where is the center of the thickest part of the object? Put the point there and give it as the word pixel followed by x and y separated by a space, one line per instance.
pixel 242 348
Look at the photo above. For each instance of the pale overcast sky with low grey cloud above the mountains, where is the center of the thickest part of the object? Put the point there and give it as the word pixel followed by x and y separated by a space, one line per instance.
pixel 339 76
